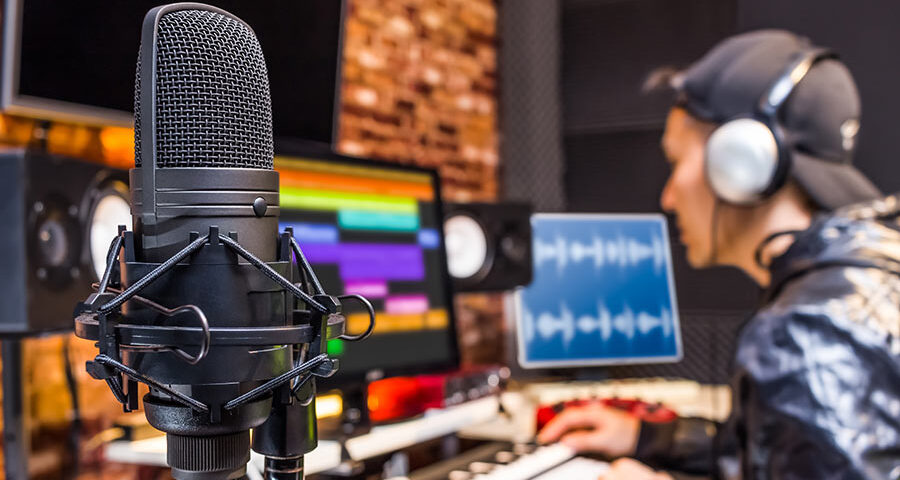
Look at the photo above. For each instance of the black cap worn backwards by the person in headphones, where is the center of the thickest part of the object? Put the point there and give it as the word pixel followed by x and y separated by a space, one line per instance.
pixel 819 121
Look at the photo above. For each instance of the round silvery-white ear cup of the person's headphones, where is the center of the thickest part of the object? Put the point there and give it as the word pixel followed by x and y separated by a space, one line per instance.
pixel 742 158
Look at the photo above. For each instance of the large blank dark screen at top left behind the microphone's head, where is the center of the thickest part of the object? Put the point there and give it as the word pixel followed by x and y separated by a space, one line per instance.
pixel 76 60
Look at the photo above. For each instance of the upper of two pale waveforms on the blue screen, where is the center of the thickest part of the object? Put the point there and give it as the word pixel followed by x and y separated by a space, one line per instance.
pixel 619 251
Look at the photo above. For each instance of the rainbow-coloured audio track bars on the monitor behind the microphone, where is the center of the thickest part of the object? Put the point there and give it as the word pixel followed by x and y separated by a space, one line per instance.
pixel 366 224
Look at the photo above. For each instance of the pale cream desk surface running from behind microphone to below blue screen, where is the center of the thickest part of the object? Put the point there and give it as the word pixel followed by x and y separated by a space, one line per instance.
pixel 477 419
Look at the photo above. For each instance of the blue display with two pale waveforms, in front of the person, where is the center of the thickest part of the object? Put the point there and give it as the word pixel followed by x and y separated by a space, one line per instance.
pixel 602 292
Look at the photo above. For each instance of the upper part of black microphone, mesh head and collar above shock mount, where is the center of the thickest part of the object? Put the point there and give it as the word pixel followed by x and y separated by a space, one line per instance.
pixel 203 133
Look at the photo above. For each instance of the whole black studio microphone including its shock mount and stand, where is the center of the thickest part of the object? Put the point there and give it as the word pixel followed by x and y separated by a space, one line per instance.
pixel 205 301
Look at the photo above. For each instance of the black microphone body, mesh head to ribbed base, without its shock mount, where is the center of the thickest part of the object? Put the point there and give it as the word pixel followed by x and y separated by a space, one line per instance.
pixel 203 158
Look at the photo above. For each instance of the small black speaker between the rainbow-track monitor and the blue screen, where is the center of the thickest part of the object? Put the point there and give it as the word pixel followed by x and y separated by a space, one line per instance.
pixel 488 245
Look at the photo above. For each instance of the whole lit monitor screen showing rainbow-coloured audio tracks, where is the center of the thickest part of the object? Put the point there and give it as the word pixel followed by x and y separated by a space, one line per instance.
pixel 375 231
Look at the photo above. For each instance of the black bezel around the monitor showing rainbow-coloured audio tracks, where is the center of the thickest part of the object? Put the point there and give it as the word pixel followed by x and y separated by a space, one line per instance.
pixel 359 379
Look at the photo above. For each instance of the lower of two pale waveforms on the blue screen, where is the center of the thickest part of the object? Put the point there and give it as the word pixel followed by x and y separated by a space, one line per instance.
pixel 547 325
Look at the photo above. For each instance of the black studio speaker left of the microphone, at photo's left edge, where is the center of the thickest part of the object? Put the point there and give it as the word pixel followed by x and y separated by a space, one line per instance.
pixel 58 216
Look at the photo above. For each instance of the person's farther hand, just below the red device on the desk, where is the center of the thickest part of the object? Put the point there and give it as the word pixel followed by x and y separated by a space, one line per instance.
pixel 595 429
